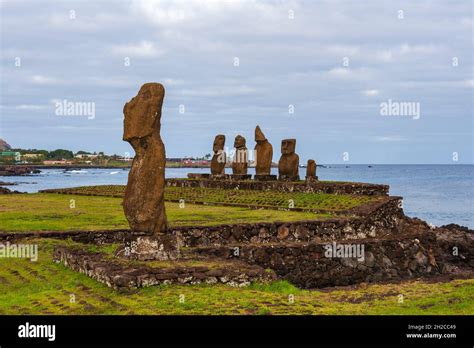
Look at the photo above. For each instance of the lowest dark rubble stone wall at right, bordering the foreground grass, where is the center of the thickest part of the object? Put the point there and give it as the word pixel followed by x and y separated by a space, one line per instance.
pixel 308 265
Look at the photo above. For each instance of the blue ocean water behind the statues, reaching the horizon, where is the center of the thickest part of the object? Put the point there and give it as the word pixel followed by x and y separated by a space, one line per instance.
pixel 439 194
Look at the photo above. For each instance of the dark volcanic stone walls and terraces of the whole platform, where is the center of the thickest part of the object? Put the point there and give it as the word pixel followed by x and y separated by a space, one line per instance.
pixel 388 246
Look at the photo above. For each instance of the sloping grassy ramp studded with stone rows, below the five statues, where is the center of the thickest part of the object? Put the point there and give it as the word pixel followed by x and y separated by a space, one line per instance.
pixel 269 199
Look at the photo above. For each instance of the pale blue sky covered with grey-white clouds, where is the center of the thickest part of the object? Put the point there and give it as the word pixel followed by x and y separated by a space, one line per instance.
pixel 317 71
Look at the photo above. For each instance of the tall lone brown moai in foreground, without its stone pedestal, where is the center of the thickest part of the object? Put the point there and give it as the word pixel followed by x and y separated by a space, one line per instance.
pixel 143 202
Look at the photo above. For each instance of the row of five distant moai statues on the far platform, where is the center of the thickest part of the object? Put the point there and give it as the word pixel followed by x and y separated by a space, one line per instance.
pixel 287 166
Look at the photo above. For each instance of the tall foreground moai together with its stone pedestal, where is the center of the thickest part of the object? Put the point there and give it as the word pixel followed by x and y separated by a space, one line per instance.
pixel 143 202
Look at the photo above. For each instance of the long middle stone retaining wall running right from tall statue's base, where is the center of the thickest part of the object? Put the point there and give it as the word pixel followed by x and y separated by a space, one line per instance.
pixel 384 219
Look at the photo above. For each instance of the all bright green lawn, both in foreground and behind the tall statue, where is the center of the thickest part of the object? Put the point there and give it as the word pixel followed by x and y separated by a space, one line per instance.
pixel 44 287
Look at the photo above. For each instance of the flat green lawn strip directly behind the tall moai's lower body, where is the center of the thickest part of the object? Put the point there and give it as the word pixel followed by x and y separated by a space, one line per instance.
pixel 52 212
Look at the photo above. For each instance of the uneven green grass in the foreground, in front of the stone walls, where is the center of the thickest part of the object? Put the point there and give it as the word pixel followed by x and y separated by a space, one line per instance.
pixel 44 287
